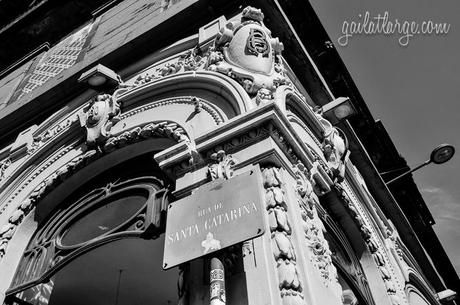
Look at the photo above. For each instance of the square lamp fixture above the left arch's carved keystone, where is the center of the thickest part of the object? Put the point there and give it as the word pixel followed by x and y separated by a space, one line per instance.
pixel 100 78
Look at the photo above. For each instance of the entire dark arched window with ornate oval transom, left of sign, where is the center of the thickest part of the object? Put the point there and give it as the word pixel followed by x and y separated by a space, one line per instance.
pixel 104 245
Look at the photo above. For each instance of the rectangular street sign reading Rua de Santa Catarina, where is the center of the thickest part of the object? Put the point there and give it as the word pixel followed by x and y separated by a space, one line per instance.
pixel 217 215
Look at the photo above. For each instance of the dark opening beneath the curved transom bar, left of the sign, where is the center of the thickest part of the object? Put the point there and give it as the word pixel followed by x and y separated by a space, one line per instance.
pixel 123 272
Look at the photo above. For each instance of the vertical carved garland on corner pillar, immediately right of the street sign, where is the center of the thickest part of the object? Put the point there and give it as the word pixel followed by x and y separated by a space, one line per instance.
pixel 283 250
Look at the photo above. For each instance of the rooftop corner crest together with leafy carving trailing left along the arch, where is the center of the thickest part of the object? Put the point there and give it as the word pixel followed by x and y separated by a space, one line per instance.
pixel 243 50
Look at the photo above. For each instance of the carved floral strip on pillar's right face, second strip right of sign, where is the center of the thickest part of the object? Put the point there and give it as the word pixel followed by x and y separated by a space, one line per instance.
pixel 313 227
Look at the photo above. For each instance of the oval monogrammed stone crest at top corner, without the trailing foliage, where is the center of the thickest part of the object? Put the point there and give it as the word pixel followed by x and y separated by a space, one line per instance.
pixel 245 51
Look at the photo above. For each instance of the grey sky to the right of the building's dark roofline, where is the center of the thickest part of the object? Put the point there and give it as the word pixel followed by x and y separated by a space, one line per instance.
pixel 413 87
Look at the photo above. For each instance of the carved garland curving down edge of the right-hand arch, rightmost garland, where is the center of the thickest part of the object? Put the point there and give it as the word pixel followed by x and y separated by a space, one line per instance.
pixel 377 253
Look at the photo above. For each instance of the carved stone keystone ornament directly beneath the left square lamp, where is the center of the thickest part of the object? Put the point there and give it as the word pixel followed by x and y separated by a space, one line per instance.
pixel 98 117
